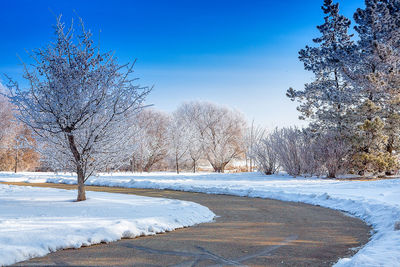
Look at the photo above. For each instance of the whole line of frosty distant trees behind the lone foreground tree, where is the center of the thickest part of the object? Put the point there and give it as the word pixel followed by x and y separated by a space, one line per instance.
pixel 195 132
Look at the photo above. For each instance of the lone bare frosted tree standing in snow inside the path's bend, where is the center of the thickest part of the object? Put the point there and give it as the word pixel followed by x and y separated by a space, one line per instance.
pixel 78 103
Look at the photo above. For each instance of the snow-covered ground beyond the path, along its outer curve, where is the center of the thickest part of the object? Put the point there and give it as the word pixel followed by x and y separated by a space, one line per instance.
pixel 376 202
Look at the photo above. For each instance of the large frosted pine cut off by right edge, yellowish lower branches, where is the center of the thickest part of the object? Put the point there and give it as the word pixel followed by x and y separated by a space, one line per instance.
pixel 373 70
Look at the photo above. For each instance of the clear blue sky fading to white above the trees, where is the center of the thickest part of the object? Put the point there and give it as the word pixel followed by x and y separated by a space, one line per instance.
pixel 239 53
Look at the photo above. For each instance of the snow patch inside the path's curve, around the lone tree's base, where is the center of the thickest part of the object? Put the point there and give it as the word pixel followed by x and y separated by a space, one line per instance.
pixel 37 221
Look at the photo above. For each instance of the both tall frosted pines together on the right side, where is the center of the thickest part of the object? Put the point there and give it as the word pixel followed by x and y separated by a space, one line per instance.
pixel 354 97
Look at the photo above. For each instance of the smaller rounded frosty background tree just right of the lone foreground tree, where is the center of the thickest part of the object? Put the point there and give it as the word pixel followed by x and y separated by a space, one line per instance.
pixel 151 139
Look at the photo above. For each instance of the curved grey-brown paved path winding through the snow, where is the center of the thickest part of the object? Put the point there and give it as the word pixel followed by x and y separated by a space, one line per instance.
pixel 248 232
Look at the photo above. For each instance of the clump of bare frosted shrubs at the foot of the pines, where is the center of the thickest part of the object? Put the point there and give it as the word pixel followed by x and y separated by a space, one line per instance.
pixel 302 152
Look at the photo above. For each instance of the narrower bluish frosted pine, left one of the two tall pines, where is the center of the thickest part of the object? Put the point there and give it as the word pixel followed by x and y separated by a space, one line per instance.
pixel 324 101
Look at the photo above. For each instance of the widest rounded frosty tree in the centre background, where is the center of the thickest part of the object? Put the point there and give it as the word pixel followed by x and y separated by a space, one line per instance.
pixel 215 132
